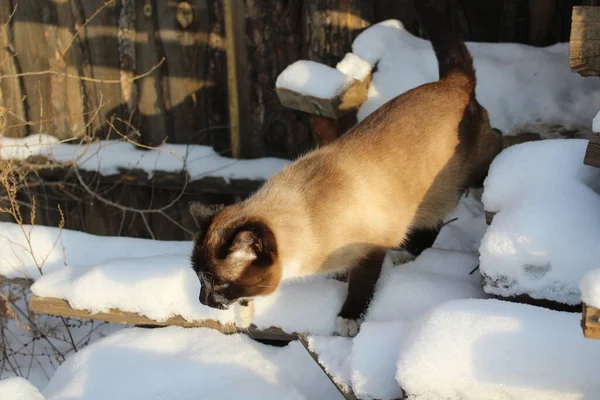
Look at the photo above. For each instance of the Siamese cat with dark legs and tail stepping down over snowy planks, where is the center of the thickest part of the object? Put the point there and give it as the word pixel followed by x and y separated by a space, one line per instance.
pixel 389 182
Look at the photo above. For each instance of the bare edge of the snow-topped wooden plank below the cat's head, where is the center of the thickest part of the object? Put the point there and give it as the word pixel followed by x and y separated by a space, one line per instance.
pixel 61 308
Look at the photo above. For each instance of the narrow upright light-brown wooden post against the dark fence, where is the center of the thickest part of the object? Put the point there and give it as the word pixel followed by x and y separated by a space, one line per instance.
pixel 237 76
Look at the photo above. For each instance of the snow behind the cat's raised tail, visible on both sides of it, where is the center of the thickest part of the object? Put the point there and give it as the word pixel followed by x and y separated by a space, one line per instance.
pixel 520 86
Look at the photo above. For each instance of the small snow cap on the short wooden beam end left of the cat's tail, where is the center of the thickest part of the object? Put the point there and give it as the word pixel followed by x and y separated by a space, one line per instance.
pixel 313 79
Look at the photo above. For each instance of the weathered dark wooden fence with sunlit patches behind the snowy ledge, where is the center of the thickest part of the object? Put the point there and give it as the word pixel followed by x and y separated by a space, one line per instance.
pixel 66 68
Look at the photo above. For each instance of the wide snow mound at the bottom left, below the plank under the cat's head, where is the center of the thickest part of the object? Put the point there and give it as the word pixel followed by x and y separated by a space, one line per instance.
pixel 179 363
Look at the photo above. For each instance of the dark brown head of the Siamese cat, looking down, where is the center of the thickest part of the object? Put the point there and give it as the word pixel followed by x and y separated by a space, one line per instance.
pixel 234 259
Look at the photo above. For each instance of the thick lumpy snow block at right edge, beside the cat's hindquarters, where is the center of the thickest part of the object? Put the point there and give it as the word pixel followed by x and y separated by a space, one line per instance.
pixel 544 237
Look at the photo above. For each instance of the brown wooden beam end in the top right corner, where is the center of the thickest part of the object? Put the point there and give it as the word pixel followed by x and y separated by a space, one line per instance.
pixel 584 50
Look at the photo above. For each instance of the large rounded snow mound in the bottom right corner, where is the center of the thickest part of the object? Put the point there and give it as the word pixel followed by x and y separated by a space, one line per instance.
pixel 492 349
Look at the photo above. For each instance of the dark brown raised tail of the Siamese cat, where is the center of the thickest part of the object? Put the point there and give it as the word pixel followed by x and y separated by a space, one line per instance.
pixel 435 18
